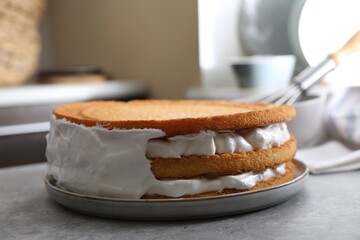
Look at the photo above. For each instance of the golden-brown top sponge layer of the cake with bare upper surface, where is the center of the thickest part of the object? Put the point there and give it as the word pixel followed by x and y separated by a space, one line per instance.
pixel 175 117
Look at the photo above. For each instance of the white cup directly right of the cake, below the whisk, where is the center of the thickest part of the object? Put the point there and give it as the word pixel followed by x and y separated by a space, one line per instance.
pixel 309 126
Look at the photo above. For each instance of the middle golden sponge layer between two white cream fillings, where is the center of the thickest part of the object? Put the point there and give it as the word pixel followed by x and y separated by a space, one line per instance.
pixel 222 164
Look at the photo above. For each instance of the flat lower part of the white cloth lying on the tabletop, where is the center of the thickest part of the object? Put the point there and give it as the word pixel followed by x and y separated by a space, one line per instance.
pixel 332 156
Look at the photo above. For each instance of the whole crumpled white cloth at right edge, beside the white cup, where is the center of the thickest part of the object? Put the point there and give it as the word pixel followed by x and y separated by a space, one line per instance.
pixel 342 117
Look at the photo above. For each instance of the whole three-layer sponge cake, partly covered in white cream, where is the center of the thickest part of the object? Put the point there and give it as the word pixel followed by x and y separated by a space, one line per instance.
pixel 103 148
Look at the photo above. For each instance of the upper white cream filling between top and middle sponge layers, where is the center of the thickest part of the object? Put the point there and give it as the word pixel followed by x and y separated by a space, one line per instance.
pixel 210 142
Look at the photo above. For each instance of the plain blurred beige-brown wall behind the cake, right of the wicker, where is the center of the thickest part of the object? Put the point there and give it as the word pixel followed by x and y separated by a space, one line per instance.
pixel 152 41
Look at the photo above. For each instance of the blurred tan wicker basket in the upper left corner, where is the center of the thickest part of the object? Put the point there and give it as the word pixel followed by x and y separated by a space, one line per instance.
pixel 19 39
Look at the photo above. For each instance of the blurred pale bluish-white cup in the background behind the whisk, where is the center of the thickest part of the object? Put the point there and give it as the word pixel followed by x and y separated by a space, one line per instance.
pixel 267 72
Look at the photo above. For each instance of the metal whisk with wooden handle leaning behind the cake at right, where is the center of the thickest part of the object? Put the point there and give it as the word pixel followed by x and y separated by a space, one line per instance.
pixel 311 75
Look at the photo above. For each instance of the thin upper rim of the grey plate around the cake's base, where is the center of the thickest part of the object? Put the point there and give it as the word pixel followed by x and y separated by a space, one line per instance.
pixel 301 168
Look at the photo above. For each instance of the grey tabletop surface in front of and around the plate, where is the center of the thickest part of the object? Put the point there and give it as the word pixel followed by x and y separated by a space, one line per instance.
pixel 327 207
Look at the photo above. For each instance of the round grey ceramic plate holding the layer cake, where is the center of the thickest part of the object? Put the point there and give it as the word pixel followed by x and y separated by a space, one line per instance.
pixel 179 209
